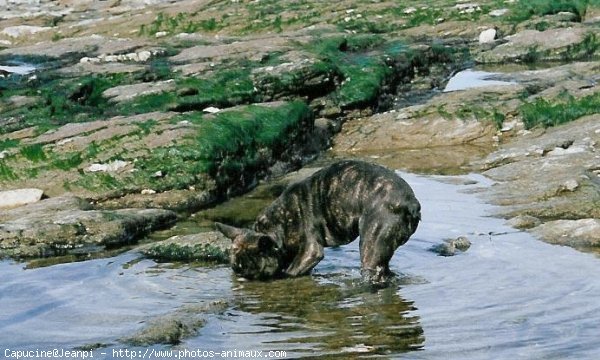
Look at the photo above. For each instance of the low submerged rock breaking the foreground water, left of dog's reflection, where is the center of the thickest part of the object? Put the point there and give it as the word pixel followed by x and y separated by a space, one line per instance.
pixel 172 328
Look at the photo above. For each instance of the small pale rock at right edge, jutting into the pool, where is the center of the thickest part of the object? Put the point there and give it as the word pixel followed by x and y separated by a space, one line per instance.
pixel 576 233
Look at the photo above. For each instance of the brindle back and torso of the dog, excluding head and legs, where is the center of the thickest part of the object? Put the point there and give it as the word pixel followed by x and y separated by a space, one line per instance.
pixel 335 199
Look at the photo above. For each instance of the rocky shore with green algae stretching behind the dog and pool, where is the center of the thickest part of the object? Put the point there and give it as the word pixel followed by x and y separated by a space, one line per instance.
pixel 123 117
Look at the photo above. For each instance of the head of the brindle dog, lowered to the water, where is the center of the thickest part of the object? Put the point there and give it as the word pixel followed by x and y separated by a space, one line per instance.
pixel 253 255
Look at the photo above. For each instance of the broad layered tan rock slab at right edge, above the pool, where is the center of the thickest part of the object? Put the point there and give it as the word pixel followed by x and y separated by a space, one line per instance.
pixel 535 175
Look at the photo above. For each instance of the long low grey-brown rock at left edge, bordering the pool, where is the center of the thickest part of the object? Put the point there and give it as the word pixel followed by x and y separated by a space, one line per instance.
pixel 63 225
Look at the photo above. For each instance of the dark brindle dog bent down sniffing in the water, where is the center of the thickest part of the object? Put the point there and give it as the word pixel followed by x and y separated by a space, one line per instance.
pixel 330 208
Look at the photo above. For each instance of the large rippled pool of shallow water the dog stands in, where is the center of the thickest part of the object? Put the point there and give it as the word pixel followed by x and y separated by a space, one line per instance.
pixel 508 296
